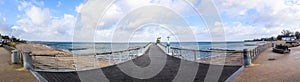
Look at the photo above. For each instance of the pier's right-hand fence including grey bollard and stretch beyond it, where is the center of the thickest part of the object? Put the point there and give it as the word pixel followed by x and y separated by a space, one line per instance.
pixel 219 56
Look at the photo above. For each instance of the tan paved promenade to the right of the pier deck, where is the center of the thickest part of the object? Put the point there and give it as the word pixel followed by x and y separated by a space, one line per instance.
pixel 285 68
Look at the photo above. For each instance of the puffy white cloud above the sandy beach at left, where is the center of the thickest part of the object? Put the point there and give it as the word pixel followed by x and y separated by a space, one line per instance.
pixel 37 23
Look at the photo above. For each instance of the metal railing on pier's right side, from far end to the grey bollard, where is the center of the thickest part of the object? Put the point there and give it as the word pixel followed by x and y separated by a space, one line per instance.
pixel 230 57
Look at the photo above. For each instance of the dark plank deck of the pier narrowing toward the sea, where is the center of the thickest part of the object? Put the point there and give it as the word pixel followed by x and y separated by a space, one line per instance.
pixel 153 57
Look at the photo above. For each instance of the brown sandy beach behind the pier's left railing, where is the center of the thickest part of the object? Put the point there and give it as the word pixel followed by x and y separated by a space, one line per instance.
pixel 55 59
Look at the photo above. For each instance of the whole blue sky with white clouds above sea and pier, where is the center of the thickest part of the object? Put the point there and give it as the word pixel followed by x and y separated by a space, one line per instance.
pixel 145 20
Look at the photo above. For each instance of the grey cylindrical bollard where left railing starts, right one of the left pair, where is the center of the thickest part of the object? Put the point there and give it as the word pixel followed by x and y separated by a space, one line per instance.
pixel 27 60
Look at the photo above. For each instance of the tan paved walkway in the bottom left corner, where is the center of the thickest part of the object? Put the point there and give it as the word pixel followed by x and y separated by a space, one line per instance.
pixel 9 72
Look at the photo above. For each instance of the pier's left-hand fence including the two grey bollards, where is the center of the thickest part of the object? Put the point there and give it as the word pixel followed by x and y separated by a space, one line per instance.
pixel 76 62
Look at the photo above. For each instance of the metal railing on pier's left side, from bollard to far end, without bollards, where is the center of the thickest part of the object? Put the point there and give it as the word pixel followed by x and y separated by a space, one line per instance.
pixel 112 57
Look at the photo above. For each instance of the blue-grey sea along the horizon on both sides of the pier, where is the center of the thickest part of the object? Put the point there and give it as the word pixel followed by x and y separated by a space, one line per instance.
pixel 98 47
